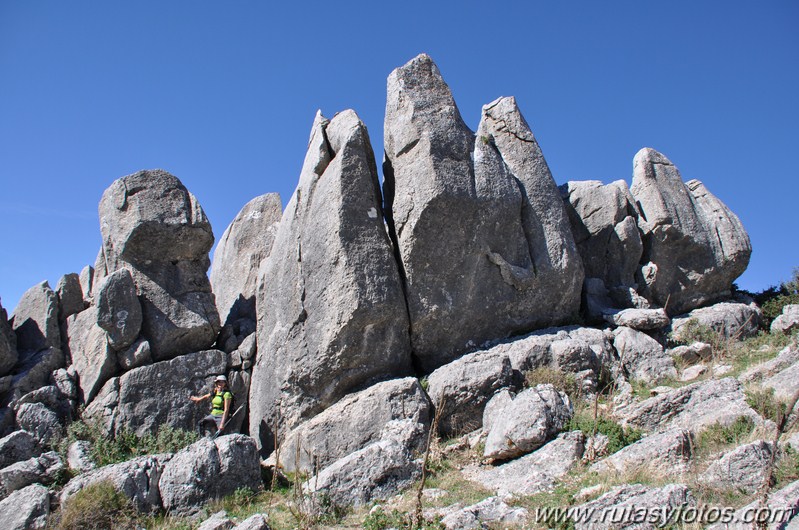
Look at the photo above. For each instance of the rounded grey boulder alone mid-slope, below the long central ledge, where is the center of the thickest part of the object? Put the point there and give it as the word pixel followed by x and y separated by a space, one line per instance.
pixel 527 421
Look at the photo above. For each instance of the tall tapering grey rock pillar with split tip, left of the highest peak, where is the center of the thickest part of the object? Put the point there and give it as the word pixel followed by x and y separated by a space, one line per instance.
pixel 331 310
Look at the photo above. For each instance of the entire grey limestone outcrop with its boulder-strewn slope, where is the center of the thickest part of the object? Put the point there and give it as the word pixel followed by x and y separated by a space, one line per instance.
pixel 363 322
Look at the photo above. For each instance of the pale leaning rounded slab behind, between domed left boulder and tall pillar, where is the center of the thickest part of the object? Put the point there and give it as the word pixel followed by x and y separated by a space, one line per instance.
pixel 246 243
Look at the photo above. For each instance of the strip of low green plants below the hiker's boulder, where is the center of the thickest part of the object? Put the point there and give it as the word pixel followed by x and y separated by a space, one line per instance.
pixel 126 445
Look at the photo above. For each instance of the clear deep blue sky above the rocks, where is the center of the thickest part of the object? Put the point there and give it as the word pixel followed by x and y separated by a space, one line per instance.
pixel 223 94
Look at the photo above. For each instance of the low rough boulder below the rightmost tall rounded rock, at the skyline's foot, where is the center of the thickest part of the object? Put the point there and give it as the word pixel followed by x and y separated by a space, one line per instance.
pixel 730 320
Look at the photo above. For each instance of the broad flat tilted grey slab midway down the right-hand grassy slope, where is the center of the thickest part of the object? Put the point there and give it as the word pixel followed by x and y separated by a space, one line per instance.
pixel 693 407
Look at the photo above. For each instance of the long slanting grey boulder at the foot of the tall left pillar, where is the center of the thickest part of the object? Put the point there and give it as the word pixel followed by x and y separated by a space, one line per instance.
pixel 353 423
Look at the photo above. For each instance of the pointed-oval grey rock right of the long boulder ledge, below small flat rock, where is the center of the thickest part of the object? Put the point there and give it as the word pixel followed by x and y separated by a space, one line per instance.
pixel 643 357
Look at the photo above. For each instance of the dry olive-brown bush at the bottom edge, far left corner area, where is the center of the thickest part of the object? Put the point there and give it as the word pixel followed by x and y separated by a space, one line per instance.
pixel 95 507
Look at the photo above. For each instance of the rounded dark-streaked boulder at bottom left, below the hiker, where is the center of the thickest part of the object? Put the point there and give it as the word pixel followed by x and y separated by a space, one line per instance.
pixel 209 469
